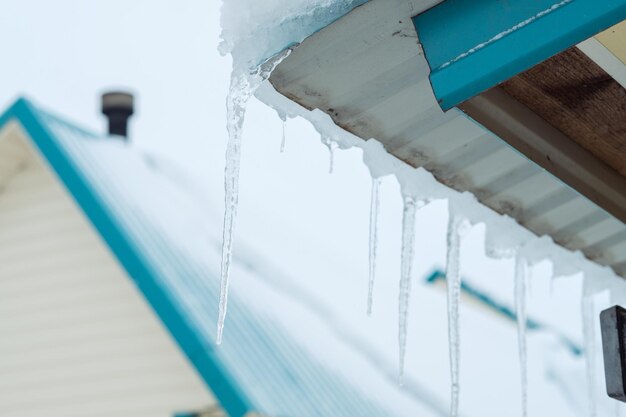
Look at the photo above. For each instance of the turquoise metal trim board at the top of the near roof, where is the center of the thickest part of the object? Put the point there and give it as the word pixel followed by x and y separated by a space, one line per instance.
pixel 473 45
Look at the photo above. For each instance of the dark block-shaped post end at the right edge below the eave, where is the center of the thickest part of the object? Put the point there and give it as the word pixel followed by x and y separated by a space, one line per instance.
pixel 612 324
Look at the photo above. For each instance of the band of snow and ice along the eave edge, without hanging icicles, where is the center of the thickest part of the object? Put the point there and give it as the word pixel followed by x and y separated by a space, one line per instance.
pixel 505 237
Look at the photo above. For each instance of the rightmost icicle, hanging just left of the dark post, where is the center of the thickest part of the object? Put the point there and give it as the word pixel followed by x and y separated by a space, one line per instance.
pixel 589 338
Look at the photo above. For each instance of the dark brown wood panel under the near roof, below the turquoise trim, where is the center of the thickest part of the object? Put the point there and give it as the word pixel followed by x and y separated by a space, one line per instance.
pixel 575 95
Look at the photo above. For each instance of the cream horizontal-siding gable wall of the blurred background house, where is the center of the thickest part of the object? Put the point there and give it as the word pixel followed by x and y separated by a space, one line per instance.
pixel 76 336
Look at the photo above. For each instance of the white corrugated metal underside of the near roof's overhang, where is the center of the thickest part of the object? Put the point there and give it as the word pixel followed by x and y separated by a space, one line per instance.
pixel 368 73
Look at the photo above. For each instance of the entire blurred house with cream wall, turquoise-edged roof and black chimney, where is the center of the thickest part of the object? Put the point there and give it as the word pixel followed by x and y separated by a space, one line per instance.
pixel 91 234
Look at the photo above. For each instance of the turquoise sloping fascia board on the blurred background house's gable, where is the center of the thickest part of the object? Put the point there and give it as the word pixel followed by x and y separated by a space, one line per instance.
pixel 203 357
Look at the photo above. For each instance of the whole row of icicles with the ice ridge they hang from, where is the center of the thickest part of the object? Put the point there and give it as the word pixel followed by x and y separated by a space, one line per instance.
pixel 504 235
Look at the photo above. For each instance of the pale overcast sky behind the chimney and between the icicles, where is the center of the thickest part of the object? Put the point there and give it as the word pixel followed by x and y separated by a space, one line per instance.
pixel 63 53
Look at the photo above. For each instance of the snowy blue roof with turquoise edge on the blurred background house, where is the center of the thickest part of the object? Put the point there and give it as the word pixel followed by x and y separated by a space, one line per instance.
pixel 259 368
